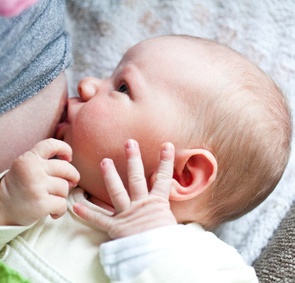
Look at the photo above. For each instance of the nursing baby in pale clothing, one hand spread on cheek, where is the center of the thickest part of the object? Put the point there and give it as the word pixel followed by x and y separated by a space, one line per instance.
pixel 231 129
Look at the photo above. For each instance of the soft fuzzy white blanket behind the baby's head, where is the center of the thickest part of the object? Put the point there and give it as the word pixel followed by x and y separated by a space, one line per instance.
pixel 264 31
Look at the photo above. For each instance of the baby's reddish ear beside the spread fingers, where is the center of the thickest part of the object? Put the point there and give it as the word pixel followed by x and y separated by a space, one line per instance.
pixel 194 171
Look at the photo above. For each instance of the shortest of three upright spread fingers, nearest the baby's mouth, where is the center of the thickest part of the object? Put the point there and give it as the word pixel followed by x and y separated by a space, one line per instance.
pixel 115 186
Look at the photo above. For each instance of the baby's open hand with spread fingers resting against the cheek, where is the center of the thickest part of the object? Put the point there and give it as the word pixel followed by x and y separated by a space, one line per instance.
pixel 140 210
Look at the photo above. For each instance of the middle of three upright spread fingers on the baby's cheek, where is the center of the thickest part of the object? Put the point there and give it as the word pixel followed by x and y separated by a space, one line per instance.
pixel 136 178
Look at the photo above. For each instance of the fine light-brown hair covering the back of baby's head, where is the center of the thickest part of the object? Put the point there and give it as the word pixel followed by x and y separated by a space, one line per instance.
pixel 246 124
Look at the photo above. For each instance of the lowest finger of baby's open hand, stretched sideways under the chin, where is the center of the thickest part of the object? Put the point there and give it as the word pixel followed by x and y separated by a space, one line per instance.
pixel 99 220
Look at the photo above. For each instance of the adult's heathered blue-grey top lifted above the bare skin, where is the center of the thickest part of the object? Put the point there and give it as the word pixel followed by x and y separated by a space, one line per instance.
pixel 34 50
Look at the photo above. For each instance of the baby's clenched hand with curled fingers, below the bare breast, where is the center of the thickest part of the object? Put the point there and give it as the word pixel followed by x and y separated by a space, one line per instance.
pixel 37 185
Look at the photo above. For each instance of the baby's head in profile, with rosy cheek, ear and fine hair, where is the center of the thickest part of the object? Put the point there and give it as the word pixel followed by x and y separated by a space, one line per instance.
pixel 228 121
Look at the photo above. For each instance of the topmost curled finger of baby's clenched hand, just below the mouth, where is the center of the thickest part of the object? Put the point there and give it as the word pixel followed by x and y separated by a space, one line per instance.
pixel 52 147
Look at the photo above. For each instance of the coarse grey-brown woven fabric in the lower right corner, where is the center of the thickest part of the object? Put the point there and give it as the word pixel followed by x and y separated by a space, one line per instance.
pixel 277 261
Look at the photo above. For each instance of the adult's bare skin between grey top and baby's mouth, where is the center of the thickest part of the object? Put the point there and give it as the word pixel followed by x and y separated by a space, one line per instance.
pixel 34 120
